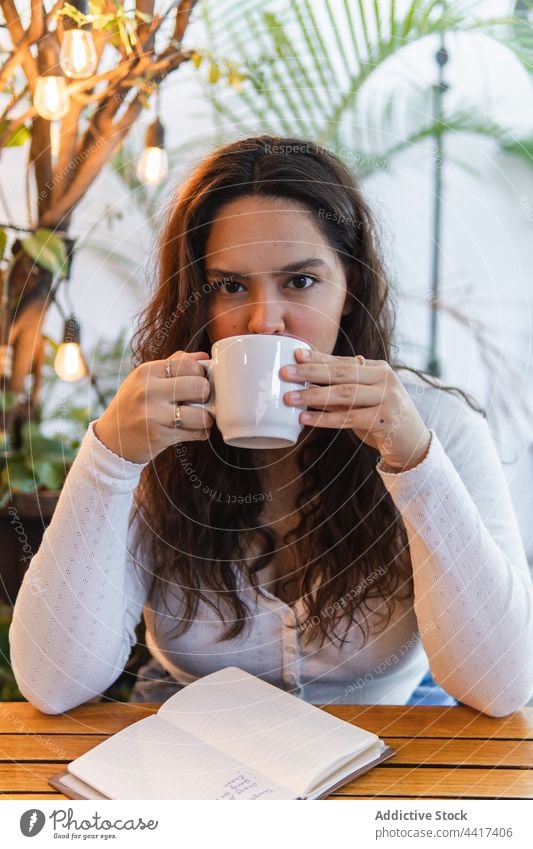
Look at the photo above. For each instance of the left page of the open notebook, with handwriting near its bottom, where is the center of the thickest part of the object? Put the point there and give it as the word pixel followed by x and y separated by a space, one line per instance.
pixel 153 759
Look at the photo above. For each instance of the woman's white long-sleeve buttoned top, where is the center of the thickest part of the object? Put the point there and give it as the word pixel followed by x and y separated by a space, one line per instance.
pixel 471 616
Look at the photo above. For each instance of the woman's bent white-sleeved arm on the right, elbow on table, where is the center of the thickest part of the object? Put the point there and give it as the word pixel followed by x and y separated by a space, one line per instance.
pixel 471 579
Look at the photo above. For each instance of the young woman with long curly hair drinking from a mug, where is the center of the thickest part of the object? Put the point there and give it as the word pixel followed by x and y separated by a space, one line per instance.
pixel 380 545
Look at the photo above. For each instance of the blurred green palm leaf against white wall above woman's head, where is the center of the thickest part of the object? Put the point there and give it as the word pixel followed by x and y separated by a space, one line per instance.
pixel 313 62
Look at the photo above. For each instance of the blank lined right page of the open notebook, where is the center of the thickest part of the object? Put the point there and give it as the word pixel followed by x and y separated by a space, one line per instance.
pixel 273 732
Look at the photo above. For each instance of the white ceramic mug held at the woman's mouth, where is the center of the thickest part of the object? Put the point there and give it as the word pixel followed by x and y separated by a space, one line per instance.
pixel 246 397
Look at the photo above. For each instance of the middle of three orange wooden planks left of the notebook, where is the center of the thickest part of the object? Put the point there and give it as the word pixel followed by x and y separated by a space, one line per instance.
pixel 47 747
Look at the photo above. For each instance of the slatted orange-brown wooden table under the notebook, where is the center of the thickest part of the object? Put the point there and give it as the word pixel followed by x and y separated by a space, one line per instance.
pixel 452 753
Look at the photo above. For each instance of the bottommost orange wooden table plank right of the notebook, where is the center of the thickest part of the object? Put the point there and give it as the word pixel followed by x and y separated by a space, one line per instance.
pixel 460 783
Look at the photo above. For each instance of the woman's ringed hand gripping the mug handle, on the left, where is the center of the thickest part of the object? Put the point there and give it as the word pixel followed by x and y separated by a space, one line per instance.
pixel 139 422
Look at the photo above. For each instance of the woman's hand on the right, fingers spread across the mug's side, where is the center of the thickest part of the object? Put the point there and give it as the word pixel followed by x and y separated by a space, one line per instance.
pixel 369 398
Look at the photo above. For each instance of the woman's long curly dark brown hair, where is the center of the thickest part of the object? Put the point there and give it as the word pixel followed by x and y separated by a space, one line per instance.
pixel 350 536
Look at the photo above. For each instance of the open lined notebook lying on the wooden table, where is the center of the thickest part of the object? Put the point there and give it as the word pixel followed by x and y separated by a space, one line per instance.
pixel 228 735
